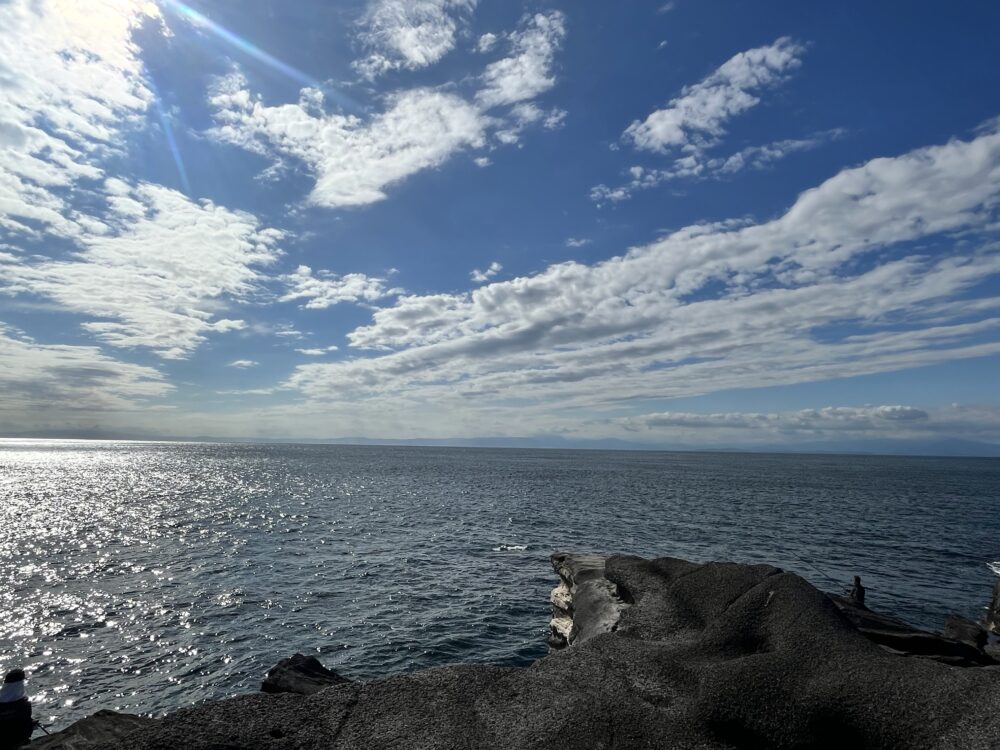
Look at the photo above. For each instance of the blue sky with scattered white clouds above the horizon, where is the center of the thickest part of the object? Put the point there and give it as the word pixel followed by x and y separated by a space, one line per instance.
pixel 682 223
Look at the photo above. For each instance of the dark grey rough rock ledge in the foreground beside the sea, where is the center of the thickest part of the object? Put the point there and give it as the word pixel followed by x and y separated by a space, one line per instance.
pixel 646 654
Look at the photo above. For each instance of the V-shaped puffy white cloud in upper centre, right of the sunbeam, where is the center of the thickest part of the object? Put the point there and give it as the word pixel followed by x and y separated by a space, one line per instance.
pixel 355 160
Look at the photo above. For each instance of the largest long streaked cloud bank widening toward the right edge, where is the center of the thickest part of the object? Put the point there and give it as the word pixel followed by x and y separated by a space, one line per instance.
pixel 718 306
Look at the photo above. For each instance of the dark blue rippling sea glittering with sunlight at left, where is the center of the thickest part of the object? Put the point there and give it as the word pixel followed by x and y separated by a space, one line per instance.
pixel 145 576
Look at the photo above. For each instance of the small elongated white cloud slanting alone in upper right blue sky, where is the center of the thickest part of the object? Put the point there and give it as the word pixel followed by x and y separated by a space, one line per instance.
pixel 696 118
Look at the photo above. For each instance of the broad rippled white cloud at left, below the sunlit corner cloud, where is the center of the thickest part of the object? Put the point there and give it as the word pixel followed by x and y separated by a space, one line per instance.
pixel 158 271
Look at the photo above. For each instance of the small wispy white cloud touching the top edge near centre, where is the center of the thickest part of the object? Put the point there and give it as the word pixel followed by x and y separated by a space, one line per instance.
pixel 409 34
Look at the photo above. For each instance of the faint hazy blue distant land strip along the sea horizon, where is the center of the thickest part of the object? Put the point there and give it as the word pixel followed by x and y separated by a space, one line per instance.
pixel 938 447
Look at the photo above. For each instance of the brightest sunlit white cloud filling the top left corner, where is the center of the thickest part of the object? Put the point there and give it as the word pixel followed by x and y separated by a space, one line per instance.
pixel 71 79
